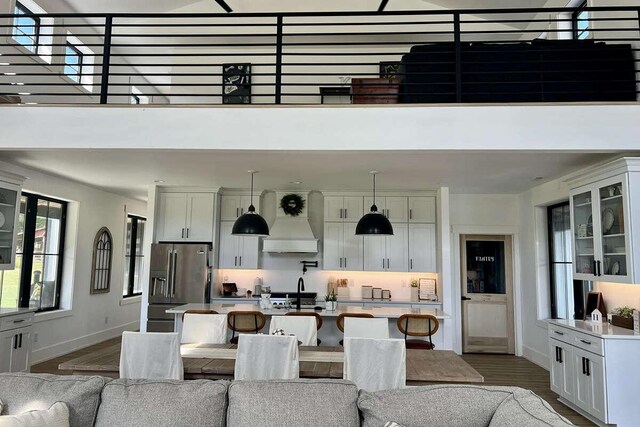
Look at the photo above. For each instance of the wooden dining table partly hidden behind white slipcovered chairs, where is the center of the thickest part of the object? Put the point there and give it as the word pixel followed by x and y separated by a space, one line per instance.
pixel 217 361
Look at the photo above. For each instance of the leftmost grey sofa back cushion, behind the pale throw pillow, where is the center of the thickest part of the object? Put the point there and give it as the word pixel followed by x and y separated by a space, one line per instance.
pixel 27 392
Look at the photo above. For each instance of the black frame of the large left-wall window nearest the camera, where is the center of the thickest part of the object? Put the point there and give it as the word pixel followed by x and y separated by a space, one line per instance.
pixel 28 243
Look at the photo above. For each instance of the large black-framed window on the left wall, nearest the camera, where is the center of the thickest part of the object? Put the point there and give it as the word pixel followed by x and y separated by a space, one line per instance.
pixel 35 281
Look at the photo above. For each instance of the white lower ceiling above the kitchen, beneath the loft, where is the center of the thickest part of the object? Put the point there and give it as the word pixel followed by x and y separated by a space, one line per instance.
pixel 128 172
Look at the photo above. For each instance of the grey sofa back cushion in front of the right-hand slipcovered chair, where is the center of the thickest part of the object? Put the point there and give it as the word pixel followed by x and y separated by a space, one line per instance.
pixel 436 405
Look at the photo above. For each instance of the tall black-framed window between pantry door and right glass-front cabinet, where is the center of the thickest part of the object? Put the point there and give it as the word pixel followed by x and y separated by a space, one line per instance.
pixel 567 295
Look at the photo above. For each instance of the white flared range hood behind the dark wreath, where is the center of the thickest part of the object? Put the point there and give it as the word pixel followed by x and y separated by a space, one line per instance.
pixel 291 234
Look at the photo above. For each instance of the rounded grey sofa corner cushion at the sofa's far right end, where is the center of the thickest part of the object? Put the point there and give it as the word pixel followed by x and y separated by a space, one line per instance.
pixel 526 409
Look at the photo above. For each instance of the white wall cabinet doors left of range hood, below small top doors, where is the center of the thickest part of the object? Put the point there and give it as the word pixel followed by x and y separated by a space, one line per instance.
pixel 237 252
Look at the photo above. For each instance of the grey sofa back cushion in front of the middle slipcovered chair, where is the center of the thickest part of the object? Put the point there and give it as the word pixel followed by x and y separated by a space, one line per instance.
pixel 306 403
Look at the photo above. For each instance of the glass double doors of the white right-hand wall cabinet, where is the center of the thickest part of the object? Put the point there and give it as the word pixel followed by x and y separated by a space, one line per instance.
pixel 601 225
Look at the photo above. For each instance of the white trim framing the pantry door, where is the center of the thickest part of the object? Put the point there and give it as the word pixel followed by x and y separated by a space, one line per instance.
pixel 456 294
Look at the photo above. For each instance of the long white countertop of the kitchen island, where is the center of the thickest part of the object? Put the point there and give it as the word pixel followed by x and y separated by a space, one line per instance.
pixel 388 312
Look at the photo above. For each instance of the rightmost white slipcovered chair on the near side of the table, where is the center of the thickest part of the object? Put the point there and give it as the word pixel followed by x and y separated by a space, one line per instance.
pixel 375 364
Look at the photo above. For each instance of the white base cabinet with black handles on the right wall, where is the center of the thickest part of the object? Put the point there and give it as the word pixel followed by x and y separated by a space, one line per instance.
pixel 595 370
